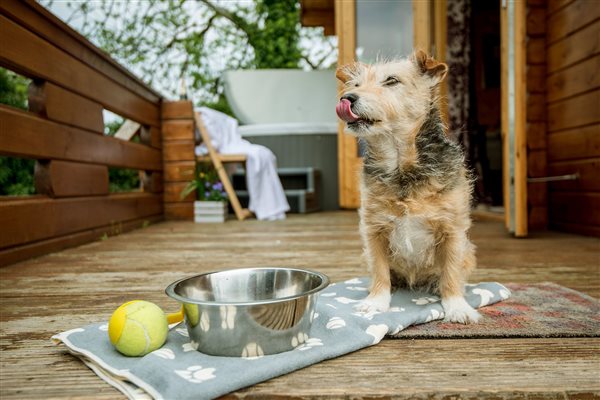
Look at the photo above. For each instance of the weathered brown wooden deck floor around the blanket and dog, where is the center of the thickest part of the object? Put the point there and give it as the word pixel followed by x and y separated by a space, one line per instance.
pixel 71 288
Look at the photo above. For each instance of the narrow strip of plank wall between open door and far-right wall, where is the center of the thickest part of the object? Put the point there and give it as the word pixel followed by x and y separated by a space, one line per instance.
pixel 537 193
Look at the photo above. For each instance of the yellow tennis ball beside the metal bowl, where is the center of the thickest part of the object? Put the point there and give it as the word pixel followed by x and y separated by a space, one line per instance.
pixel 137 328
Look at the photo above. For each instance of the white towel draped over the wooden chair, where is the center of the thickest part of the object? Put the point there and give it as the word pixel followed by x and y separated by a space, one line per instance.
pixel 267 198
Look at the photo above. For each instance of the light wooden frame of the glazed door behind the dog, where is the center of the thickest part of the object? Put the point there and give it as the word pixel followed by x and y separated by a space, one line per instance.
pixel 429 34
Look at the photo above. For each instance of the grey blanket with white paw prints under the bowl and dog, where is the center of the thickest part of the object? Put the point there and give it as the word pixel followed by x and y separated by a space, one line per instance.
pixel 178 371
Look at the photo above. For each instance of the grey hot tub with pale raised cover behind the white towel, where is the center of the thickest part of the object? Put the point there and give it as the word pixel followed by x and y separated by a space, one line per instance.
pixel 292 112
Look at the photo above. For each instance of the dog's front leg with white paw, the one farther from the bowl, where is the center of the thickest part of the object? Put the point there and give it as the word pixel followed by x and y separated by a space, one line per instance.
pixel 454 252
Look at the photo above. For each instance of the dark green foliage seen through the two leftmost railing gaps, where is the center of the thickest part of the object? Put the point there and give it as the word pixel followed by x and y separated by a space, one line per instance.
pixel 16 174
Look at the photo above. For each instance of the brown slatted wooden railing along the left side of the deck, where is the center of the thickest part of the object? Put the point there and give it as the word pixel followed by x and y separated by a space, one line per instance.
pixel 73 82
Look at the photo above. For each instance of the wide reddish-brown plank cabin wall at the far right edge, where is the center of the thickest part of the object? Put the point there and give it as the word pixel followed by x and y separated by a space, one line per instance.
pixel 573 114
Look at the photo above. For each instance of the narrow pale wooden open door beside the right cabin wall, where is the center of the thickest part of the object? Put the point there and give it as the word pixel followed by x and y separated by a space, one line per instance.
pixel 513 115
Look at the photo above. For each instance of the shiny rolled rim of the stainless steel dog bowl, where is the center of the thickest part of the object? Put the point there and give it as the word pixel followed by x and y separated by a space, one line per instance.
pixel 170 290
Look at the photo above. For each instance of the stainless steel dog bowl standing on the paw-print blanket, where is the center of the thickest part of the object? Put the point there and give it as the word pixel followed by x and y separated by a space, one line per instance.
pixel 249 312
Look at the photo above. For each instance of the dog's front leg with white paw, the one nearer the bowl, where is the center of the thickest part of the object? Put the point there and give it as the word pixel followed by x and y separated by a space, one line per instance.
pixel 376 252
